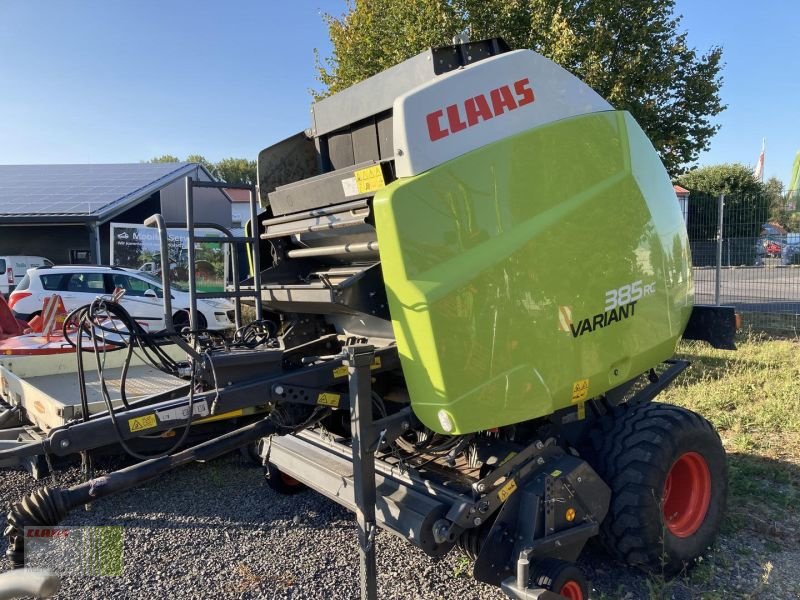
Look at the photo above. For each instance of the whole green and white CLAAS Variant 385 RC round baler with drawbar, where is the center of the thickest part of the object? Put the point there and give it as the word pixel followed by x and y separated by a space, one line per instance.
pixel 478 273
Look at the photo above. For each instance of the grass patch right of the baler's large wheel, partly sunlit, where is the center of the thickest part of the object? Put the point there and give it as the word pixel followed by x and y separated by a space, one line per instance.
pixel 751 396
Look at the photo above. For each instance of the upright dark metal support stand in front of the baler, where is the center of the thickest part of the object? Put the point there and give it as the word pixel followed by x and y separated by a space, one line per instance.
pixel 359 359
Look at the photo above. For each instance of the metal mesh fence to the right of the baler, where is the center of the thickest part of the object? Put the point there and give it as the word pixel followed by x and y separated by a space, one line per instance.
pixel 742 259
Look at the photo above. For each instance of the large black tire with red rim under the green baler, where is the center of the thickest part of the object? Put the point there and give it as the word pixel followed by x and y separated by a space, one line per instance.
pixel 634 449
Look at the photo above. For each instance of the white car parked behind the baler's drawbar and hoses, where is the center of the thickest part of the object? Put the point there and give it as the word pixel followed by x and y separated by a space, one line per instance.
pixel 79 285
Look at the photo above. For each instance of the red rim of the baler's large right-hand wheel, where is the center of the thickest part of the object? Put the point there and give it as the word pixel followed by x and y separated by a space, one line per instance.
pixel 687 494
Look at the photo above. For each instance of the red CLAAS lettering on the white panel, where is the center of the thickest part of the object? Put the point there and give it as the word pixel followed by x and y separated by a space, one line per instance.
pixel 458 117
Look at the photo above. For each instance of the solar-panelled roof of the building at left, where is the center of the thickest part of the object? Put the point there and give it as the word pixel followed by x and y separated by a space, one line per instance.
pixel 78 193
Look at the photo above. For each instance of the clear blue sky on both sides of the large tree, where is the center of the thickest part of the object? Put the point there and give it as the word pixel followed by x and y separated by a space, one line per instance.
pixel 97 81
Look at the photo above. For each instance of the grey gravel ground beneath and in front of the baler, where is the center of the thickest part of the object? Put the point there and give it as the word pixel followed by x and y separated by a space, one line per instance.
pixel 217 531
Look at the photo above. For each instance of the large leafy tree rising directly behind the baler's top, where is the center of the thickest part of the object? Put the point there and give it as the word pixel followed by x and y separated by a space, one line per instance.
pixel 631 52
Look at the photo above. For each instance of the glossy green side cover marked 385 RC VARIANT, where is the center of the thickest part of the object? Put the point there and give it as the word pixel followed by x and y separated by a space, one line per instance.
pixel 534 273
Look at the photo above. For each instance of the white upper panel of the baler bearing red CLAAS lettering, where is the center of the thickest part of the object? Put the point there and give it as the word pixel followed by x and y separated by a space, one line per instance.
pixel 482 103
